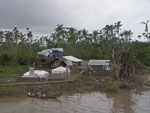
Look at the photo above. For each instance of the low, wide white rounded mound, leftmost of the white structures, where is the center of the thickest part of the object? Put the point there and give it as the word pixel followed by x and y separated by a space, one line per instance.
pixel 37 73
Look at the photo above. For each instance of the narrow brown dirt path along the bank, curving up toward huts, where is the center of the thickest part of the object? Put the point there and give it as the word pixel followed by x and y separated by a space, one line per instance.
pixel 38 83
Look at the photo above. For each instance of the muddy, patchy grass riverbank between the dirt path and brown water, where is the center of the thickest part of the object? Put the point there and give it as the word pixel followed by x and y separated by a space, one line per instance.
pixel 85 83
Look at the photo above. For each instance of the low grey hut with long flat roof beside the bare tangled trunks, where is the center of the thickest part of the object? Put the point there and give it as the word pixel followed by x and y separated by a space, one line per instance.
pixel 99 65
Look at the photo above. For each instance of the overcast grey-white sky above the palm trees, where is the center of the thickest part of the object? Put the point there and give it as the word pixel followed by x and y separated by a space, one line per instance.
pixel 41 16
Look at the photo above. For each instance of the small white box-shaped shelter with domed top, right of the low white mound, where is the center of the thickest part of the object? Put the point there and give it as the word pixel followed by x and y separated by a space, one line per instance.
pixel 61 72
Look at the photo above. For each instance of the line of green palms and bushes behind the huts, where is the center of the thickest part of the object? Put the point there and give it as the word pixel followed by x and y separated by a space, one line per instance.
pixel 18 48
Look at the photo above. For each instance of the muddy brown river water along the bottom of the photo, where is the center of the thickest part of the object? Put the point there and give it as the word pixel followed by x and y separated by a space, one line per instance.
pixel 96 102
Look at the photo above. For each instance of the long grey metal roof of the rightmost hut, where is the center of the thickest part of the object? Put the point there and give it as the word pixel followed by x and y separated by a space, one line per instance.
pixel 98 62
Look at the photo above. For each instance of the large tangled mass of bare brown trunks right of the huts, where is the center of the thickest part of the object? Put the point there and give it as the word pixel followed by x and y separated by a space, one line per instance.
pixel 124 69
